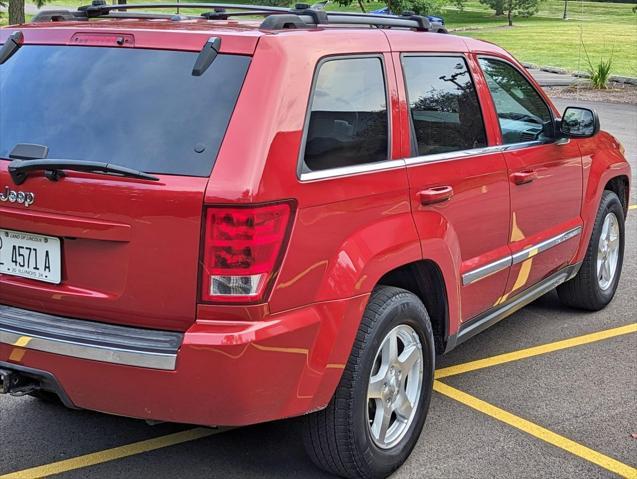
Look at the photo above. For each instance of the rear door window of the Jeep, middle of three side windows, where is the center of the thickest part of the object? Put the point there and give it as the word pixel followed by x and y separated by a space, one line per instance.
pixel 444 106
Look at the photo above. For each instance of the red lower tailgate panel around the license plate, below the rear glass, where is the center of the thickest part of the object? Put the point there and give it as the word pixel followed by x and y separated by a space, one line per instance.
pixel 129 251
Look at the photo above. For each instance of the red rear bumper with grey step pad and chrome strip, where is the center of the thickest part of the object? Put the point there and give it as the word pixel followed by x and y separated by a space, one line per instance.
pixel 223 373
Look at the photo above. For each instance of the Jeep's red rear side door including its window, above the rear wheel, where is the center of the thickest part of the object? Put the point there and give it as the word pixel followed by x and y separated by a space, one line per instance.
pixel 458 183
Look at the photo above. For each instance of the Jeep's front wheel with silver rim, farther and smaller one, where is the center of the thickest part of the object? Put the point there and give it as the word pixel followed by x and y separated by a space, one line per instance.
pixel 596 282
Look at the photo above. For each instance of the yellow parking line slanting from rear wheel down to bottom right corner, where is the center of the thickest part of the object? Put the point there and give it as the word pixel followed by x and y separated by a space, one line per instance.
pixel 539 432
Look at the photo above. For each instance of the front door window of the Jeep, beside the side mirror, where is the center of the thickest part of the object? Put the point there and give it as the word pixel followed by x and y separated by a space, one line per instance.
pixel 522 113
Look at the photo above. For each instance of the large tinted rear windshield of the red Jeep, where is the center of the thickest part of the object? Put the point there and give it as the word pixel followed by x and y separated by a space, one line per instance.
pixel 137 108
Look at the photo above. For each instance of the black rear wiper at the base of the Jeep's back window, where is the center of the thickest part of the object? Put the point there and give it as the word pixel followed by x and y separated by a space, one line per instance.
pixel 20 169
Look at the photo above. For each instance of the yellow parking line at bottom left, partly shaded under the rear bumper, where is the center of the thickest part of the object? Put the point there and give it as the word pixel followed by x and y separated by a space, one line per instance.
pixel 121 452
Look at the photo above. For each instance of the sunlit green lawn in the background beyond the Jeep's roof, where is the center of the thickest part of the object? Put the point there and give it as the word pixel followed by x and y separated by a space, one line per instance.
pixel 544 39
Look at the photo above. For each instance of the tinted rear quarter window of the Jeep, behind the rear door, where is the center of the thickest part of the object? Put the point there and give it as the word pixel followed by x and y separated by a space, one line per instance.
pixel 348 122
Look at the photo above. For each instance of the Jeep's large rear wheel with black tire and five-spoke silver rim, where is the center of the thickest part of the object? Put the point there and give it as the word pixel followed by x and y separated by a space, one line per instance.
pixel 389 375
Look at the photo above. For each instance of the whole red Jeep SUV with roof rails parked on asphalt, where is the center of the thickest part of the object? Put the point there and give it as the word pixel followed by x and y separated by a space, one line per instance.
pixel 224 221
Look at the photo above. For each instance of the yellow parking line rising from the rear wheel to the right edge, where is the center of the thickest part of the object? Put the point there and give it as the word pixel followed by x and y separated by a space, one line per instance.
pixel 535 351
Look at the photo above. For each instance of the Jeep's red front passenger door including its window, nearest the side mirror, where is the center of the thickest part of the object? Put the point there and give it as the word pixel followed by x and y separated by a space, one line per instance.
pixel 545 177
